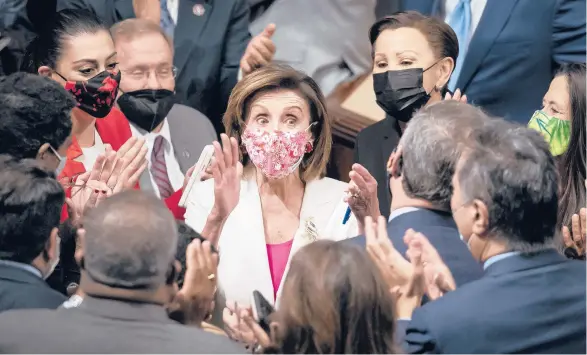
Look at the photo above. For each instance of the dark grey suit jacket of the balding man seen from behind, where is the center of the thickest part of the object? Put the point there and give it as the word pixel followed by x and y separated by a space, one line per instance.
pixel 105 326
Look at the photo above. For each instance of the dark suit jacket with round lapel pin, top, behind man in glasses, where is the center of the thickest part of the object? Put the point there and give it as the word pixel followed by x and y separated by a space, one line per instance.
pixel 208 48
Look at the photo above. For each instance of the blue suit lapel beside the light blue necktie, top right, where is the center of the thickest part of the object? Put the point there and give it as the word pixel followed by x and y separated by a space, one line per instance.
pixel 494 18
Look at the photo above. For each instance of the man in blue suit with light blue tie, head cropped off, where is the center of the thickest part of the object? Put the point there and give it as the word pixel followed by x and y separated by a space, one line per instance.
pixel 509 50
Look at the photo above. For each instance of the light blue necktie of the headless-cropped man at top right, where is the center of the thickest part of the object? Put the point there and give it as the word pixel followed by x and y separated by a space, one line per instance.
pixel 460 21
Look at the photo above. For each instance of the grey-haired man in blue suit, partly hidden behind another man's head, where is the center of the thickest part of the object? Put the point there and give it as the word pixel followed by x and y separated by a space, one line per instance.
pixel 421 194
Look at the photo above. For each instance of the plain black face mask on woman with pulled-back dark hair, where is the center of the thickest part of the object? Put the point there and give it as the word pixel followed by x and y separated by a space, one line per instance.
pixel 400 92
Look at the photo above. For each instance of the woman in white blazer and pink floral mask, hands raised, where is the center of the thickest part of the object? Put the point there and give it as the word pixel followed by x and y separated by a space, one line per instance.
pixel 261 215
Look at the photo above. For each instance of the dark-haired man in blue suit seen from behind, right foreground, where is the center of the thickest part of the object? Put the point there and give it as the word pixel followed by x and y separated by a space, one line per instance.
pixel 530 299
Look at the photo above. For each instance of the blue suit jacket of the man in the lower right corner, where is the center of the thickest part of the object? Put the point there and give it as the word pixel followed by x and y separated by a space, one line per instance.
pixel 522 304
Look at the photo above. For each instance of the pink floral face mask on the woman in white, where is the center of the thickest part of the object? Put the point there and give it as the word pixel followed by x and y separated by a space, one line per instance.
pixel 277 153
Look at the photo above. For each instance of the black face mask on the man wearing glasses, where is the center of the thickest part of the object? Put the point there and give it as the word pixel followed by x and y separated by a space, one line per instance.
pixel 147 108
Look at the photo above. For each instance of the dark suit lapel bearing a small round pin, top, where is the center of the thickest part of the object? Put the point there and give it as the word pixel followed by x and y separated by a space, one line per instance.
pixel 188 30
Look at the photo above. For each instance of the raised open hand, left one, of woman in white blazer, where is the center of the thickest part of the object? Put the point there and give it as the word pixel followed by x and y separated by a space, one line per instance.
pixel 227 172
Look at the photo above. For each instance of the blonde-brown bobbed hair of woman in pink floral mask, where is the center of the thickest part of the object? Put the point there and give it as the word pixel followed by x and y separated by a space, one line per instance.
pixel 273 78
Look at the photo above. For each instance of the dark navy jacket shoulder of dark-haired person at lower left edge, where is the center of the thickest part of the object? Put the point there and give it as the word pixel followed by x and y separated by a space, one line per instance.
pixel 21 289
